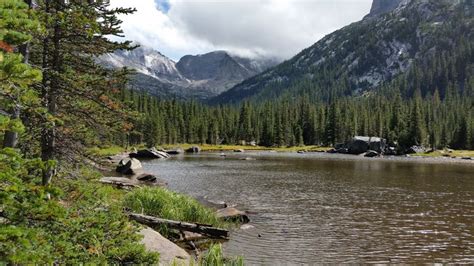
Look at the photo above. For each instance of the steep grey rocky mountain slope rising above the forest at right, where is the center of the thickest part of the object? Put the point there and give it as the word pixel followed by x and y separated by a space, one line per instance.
pixel 394 39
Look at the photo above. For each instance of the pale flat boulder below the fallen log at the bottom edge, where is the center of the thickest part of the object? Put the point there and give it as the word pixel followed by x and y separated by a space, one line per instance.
pixel 170 253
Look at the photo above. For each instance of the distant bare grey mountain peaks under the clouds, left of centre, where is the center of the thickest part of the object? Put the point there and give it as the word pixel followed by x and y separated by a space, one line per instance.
pixel 193 76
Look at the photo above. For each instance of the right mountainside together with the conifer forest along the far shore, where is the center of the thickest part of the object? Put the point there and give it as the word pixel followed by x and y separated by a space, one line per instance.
pixel 404 74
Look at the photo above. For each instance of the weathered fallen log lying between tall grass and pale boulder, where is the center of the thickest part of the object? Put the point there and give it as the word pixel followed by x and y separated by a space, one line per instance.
pixel 184 226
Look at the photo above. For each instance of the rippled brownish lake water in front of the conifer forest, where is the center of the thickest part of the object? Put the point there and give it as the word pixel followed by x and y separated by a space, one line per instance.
pixel 320 208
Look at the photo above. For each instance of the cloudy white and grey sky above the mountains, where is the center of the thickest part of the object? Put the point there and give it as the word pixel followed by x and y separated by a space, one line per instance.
pixel 279 28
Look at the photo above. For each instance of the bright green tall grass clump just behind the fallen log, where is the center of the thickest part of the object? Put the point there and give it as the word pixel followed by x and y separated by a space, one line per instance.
pixel 166 204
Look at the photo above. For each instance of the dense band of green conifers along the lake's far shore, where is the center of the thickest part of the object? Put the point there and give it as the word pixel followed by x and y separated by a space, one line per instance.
pixel 406 112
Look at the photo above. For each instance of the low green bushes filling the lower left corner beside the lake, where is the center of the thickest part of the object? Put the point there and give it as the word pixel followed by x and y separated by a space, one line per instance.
pixel 80 223
